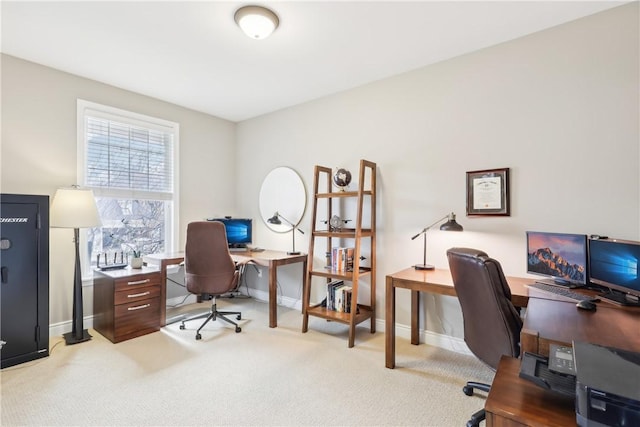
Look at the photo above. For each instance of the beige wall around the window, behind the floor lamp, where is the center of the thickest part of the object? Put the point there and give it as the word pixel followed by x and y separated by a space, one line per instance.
pixel 38 154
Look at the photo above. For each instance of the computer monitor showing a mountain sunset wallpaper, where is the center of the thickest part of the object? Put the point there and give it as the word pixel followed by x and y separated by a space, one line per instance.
pixel 561 257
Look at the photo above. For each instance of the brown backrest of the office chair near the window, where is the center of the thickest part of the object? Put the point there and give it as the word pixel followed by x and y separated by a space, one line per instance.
pixel 209 268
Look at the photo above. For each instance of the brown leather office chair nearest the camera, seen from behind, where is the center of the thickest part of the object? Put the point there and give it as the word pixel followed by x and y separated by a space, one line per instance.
pixel 491 322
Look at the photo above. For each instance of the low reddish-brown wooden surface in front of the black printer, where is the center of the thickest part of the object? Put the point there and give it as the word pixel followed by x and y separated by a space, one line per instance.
pixel 514 401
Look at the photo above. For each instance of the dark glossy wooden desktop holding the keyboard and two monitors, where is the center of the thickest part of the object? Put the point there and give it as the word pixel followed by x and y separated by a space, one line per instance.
pixel 551 321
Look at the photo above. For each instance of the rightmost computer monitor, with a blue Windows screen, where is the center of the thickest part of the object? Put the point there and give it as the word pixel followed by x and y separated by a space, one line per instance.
pixel 614 265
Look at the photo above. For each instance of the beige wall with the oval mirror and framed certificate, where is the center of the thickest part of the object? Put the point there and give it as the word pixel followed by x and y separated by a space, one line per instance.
pixel 559 108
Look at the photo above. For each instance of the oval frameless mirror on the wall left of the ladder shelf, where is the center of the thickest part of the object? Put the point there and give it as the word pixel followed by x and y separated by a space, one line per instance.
pixel 282 195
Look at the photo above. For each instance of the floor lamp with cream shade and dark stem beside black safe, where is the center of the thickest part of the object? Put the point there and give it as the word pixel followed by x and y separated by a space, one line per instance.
pixel 75 208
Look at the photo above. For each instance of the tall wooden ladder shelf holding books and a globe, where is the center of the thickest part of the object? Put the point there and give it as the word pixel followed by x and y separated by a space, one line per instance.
pixel 365 199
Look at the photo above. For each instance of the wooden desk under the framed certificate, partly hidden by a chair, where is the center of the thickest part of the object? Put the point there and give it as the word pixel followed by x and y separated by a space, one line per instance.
pixel 436 281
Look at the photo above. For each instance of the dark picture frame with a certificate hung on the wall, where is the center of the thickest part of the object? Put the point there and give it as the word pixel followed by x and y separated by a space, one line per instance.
pixel 488 192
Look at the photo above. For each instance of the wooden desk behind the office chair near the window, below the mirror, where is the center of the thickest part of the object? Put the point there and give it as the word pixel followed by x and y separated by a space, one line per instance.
pixel 267 258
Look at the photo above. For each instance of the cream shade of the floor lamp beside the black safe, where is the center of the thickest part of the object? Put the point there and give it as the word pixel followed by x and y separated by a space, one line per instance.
pixel 74 207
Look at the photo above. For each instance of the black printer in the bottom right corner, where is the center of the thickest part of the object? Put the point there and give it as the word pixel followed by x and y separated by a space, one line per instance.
pixel 607 386
